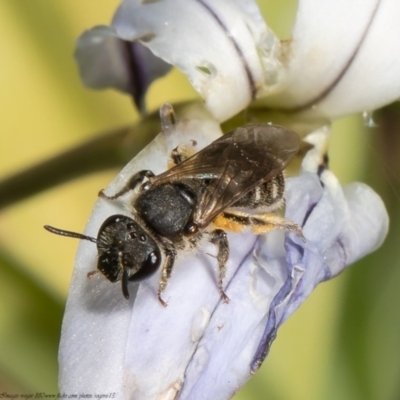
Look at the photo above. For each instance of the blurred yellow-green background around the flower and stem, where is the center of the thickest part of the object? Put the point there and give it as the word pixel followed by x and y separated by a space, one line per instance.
pixel 343 343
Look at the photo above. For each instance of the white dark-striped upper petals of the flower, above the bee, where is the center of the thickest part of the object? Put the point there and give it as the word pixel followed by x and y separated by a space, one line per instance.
pixel 231 56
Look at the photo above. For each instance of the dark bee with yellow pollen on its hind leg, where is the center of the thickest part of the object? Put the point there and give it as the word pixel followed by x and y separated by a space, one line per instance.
pixel 232 184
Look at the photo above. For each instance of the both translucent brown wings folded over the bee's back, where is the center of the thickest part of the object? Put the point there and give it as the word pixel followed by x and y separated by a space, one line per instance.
pixel 235 164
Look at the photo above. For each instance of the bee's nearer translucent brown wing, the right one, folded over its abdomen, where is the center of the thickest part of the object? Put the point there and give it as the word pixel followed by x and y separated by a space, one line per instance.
pixel 256 154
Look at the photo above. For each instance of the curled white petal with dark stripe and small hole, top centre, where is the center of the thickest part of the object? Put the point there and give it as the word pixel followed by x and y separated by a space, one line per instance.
pixel 224 46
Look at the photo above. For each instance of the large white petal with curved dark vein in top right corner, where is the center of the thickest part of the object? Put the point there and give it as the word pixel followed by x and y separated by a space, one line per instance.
pixel 343 58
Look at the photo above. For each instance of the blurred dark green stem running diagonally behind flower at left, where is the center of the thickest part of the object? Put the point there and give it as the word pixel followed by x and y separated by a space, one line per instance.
pixel 109 150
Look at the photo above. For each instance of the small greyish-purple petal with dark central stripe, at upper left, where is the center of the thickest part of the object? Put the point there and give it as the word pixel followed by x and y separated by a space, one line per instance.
pixel 107 61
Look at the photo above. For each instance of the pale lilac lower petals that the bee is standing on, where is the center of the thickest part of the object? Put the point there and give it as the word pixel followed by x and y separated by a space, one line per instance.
pixel 199 346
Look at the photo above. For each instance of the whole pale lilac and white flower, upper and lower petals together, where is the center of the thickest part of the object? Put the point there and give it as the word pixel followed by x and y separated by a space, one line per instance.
pixel 198 347
